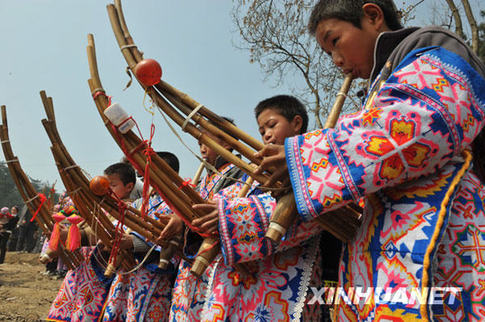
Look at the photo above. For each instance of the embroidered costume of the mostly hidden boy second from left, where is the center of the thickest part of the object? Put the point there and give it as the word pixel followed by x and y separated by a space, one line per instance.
pixel 145 294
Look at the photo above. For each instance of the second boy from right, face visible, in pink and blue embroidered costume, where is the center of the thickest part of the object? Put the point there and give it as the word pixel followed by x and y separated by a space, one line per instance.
pixel 273 284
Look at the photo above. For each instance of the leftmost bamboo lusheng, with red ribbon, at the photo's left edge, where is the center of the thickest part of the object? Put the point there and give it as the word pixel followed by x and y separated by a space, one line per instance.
pixel 31 197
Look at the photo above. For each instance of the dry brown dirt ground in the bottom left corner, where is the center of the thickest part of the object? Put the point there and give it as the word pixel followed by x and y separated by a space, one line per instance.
pixel 25 293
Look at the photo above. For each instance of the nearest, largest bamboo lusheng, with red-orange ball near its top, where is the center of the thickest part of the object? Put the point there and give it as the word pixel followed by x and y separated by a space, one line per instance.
pixel 190 115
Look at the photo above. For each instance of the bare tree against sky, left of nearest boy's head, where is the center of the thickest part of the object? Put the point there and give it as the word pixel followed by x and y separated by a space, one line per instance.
pixel 275 33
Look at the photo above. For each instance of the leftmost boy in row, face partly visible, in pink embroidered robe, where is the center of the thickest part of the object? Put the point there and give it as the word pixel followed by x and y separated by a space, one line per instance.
pixel 84 290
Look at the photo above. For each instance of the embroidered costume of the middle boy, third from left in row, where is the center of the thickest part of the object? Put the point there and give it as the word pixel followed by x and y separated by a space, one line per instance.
pixel 189 291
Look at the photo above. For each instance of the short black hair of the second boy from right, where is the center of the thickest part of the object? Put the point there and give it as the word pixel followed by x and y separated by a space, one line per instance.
pixel 287 106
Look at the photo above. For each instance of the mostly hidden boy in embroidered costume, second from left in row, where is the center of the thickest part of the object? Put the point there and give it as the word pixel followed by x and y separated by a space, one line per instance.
pixel 145 293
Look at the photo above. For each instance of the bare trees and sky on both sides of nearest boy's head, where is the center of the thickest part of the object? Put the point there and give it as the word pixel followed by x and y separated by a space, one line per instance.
pixel 275 35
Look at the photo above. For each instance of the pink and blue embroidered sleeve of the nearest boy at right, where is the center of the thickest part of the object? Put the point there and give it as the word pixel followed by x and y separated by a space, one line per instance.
pixel 422 117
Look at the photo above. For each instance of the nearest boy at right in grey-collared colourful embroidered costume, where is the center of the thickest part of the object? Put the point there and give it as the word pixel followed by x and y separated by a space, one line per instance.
pixel 407 153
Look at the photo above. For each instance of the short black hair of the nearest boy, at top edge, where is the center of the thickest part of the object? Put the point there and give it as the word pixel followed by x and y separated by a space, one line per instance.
pixel 351 11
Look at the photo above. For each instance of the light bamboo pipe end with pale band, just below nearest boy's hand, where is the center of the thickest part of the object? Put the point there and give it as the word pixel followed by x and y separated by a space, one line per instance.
pixel 283 216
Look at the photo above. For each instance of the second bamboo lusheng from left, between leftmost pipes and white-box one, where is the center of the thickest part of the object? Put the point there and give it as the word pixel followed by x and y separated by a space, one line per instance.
pixel 78 190
